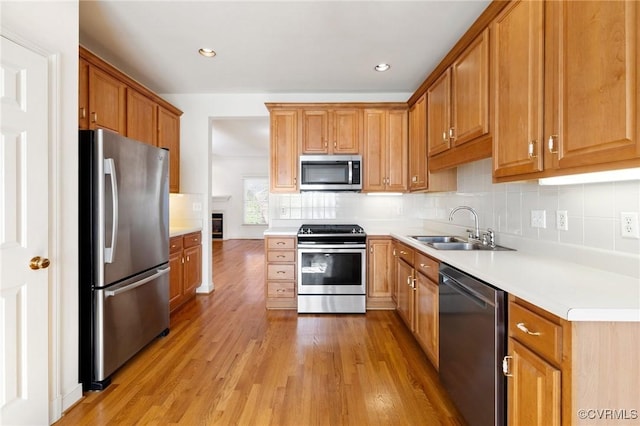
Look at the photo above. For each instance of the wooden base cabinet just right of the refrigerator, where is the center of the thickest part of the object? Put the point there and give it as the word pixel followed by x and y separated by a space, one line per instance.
pixel 185 261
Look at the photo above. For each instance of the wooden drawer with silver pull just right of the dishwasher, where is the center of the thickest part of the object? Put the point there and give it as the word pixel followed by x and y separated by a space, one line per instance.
pixel 536 332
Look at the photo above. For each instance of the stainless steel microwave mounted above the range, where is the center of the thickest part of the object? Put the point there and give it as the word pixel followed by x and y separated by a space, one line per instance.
pixel 330 172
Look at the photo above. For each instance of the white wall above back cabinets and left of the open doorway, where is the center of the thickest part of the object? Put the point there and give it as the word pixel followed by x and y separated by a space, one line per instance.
pixel 195 137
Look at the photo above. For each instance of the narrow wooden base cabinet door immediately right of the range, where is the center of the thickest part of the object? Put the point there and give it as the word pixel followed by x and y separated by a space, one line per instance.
pixel 379 278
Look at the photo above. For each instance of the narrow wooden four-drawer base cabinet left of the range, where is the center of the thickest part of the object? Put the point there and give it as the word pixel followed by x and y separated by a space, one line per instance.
pixel 280 288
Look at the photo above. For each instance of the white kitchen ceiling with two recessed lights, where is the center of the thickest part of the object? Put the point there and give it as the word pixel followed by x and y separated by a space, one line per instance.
pixel 301 46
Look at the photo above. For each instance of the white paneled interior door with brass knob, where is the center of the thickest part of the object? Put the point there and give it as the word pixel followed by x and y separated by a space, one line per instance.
pixel 24 281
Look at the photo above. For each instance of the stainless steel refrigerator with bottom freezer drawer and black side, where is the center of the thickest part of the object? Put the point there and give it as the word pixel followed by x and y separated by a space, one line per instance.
pixel 123 251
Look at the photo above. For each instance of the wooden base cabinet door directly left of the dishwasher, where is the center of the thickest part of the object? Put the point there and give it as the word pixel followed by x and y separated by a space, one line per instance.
pixel 426 326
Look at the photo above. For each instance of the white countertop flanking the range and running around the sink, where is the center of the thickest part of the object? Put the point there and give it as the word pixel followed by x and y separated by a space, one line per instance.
pixel 569 290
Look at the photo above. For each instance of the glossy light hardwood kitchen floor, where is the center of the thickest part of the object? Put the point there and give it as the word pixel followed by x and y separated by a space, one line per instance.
pixel 228 361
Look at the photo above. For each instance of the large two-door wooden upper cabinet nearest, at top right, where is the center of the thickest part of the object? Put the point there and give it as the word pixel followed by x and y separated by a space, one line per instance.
pixel 565 88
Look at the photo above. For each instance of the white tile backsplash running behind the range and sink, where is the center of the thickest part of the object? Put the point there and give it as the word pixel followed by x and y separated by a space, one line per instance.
pixel 593 210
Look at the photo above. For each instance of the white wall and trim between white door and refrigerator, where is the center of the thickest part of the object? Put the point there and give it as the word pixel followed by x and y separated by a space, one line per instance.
pixel 53 27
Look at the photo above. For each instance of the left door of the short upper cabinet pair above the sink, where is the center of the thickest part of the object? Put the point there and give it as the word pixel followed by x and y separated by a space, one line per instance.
pixel 439 114
